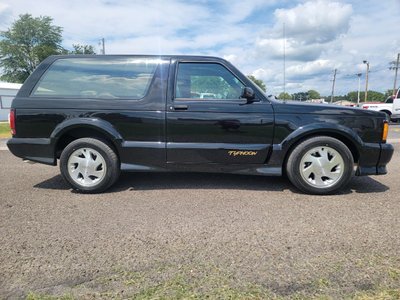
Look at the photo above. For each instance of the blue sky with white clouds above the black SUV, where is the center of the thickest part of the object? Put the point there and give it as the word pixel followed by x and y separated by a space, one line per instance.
pixel 316 36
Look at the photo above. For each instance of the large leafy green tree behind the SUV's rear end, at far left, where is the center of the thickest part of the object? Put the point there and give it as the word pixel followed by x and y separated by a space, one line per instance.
pixel 24 45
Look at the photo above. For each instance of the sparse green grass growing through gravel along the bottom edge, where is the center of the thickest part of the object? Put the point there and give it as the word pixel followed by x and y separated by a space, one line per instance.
pixel 211 282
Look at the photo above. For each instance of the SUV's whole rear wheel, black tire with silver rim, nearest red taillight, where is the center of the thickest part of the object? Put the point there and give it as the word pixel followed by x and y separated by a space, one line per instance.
pixel 89 165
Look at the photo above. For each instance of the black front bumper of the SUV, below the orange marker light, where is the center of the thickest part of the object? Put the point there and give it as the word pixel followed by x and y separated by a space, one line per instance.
pixel 374 158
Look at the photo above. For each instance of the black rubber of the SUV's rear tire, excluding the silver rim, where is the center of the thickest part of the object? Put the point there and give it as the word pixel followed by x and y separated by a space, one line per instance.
pixel 111 161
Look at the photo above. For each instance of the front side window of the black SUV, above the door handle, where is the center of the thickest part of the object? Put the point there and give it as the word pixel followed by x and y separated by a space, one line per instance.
pixel 206 81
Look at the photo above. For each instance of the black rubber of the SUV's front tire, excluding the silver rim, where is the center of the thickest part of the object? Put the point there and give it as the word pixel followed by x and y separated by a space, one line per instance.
pixel 294 162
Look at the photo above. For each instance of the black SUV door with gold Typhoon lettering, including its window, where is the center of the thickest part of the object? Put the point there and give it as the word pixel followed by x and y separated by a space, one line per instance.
pixel 209 123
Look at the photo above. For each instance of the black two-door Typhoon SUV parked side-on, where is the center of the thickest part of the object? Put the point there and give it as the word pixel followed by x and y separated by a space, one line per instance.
pixel 102 114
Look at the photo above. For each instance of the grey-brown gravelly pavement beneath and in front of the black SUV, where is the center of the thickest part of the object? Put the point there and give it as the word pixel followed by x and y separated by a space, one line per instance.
pixel 201 231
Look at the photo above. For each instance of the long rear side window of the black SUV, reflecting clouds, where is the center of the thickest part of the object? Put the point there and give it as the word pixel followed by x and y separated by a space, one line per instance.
pixel 97 78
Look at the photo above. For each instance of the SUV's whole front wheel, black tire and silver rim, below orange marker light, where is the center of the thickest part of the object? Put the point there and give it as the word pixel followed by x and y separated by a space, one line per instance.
pixel 320 165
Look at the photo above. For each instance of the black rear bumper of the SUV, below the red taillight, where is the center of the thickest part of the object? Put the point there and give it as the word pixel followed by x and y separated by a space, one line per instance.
pixel 34 149
